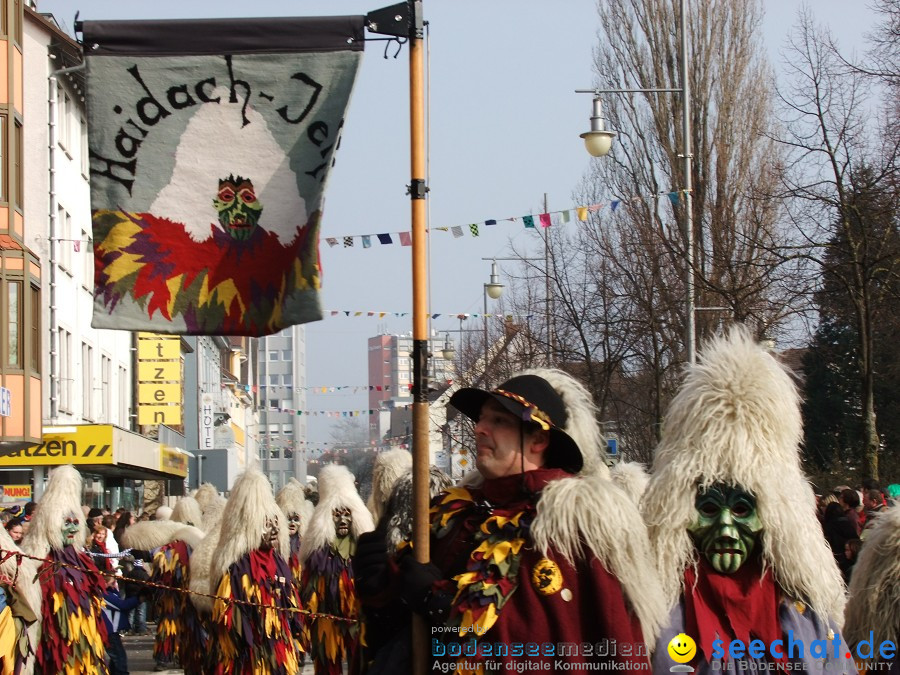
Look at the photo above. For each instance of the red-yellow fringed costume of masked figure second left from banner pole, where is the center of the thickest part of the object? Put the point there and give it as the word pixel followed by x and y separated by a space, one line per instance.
pixel 260 638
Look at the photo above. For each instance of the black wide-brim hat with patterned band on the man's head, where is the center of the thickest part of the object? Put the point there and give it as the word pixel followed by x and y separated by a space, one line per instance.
pixel 531 399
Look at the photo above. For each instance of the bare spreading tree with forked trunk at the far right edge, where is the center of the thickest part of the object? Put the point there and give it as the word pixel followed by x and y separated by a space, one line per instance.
pixel 840 164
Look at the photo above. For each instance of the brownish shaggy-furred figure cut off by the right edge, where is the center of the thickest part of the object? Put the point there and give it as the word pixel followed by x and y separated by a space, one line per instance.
pixel 872 618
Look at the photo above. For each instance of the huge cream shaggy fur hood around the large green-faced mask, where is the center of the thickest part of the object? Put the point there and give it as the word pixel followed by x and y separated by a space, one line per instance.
pixel 736 420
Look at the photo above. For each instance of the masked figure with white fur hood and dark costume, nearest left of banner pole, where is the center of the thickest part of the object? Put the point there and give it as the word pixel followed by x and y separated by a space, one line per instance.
pixel 328 585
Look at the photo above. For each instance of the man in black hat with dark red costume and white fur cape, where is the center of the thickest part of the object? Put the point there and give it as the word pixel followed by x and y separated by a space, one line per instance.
pixel 539 563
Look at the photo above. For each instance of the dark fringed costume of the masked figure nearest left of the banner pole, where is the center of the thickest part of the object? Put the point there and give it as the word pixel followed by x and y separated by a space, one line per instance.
pixel 329 588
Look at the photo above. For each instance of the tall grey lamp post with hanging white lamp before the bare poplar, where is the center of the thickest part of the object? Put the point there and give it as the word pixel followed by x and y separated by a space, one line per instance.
pixel 598 141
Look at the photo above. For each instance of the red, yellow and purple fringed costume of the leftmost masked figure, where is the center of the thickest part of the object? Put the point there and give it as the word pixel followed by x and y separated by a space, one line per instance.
pixel 73 639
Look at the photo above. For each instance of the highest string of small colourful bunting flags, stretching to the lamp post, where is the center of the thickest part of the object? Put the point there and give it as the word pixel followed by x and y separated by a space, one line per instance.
pixel 544 220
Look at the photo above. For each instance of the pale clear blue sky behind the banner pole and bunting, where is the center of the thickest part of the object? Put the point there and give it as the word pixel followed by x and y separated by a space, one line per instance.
pixel 504 124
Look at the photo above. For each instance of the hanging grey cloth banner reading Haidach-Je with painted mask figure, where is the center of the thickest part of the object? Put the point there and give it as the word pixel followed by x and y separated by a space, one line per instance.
pixel 210 143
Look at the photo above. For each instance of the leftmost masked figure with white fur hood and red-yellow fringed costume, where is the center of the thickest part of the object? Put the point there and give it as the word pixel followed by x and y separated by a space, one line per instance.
pixel 73 637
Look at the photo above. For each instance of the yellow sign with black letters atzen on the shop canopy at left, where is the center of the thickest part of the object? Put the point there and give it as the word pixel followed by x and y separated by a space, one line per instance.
pixel 87 444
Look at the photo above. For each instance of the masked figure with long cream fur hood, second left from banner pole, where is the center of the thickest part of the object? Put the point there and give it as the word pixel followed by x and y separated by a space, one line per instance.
pixel 256 621
